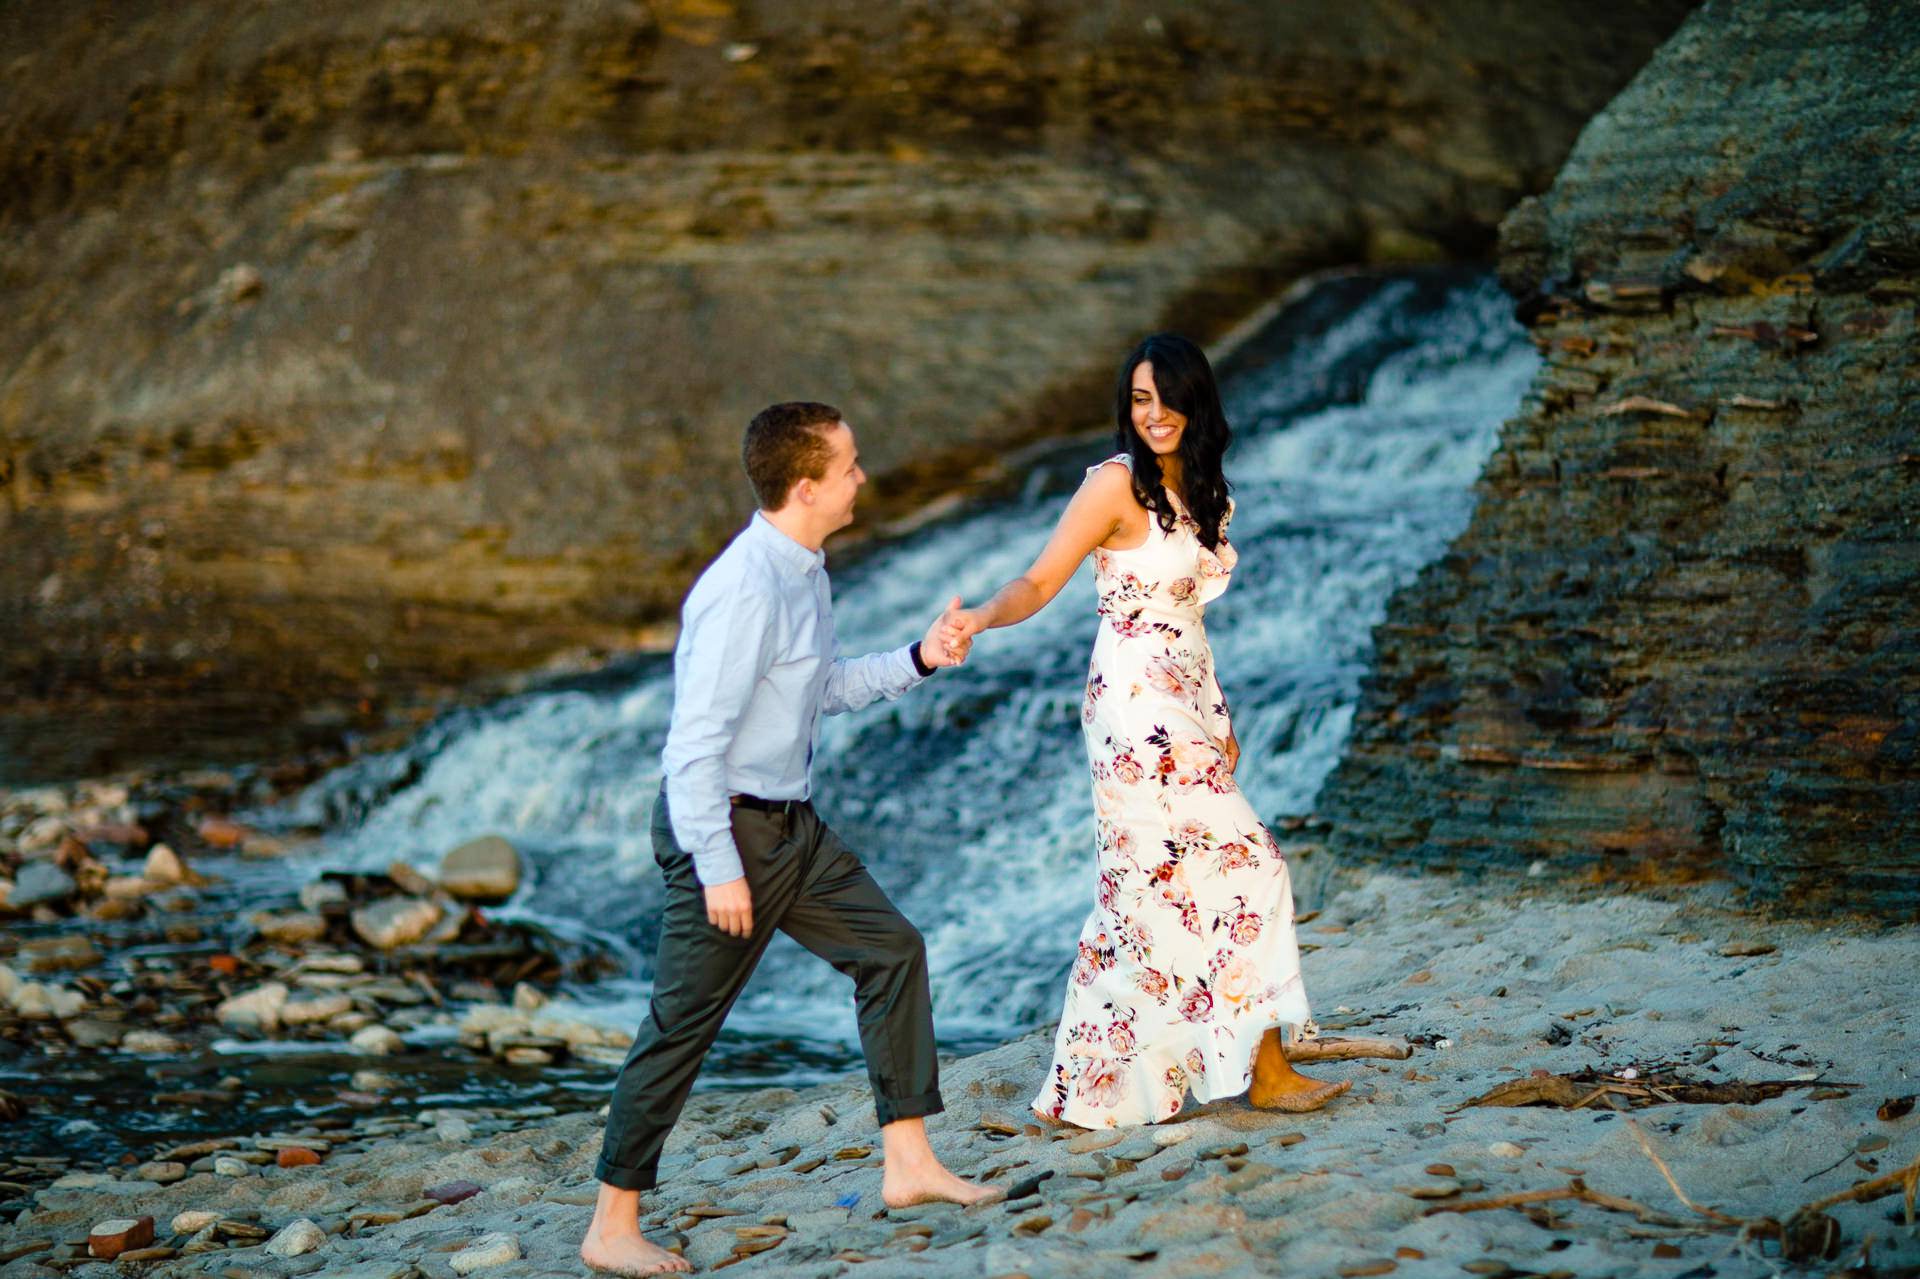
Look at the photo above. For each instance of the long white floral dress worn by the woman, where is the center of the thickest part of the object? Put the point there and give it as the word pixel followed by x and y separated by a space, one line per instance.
pixel 1189 953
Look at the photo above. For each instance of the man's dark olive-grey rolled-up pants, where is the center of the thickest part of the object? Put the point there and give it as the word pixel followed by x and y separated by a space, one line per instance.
pixel 811 886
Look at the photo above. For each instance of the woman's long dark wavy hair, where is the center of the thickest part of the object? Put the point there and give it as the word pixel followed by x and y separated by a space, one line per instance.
pixel 1186 383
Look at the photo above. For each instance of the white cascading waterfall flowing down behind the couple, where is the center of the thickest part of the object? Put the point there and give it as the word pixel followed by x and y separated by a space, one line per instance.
pixel 1362 418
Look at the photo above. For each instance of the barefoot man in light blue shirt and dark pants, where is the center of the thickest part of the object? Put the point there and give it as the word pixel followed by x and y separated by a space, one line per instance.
pixel 742 850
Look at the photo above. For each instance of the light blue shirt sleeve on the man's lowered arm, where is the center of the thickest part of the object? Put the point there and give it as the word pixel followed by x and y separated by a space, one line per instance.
pixel 727 644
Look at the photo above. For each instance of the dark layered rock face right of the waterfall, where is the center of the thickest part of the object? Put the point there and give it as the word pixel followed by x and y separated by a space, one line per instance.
pixel 1681 633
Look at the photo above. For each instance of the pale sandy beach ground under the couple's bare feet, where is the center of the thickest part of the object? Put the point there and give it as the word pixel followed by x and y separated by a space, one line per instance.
pixel 1489 986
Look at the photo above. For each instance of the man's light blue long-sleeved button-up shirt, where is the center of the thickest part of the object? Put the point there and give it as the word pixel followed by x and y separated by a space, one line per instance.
pixel 754 673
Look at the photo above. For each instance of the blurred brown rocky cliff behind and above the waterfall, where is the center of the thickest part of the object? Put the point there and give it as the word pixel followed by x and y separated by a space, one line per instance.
pixel 368 349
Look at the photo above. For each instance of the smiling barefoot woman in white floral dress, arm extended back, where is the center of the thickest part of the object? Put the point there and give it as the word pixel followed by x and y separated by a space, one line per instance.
pixel 1188 967
